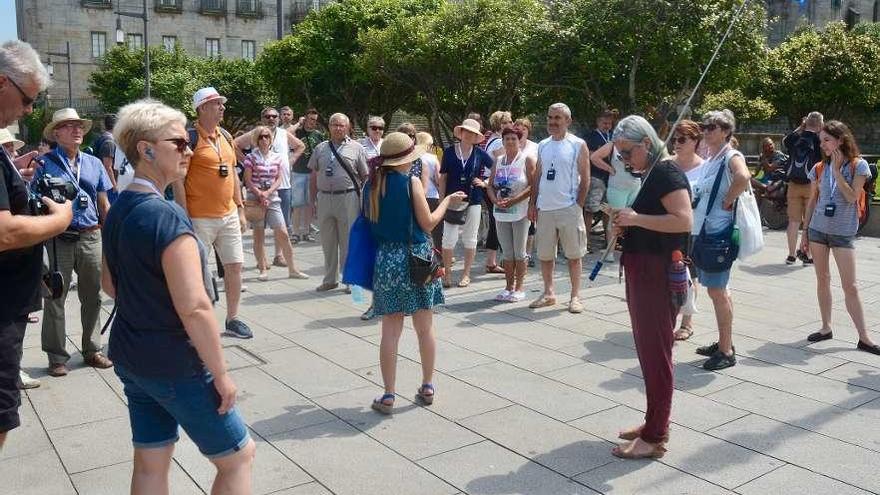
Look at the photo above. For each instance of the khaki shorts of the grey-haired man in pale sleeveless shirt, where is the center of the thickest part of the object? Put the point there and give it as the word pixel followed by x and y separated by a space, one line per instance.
pixel 565 226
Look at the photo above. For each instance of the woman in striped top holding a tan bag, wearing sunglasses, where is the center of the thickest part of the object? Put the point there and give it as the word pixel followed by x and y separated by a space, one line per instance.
pixel 262 177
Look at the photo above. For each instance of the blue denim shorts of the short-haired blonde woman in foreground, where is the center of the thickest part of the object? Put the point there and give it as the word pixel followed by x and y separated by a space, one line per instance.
pixel 156 407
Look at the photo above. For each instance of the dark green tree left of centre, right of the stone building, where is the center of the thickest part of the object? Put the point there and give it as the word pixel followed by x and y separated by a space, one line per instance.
pixel 319 64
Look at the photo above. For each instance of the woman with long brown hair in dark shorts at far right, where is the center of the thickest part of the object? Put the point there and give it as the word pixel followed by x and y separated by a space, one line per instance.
pixel 832 220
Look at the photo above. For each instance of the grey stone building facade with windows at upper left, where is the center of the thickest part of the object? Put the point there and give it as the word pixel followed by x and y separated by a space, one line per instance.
pixel 226 28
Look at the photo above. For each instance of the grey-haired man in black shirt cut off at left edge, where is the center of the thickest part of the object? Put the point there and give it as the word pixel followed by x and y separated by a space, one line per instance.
pixel 22 78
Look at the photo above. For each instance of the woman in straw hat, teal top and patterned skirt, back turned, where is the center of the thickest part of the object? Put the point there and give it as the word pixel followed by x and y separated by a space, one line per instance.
pixel 400 219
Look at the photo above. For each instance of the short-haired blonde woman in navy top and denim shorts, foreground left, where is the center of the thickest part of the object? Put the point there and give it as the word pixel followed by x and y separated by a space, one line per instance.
pixel 165 339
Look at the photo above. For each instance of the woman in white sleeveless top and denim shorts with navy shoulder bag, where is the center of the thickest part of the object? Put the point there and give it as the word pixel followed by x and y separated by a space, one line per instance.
pixel 718 128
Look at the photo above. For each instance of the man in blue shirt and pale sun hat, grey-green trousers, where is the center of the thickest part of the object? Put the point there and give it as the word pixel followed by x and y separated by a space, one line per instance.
pixel 79 247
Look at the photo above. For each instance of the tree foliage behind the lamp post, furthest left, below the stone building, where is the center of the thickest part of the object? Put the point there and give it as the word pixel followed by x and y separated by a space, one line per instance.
pixel 175 77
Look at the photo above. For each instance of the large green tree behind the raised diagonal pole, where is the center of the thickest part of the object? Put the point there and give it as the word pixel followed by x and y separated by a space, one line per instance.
pixel 643 55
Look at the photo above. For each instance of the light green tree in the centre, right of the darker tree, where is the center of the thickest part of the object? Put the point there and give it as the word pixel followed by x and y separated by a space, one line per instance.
pixel 468 56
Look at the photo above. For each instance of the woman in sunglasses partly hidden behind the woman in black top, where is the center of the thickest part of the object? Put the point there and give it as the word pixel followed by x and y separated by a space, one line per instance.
pixel 686 137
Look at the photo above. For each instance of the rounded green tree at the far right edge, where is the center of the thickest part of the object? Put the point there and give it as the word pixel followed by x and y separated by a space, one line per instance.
pixel 834 70
